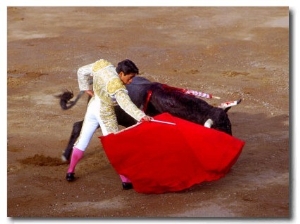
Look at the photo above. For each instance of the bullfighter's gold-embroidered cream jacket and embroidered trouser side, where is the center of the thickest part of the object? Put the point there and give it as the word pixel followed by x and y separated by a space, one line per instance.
pixel 109 88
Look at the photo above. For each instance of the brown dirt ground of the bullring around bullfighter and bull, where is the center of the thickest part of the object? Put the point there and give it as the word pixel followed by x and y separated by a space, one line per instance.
pixel 233 53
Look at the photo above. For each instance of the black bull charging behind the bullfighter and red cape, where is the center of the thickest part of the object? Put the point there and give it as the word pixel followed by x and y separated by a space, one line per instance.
pixel 162 100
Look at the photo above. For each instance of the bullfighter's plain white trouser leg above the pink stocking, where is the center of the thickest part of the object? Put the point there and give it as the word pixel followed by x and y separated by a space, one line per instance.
pixel 90 124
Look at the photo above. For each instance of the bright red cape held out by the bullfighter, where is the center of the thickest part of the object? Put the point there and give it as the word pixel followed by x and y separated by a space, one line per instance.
pixel 160 158
